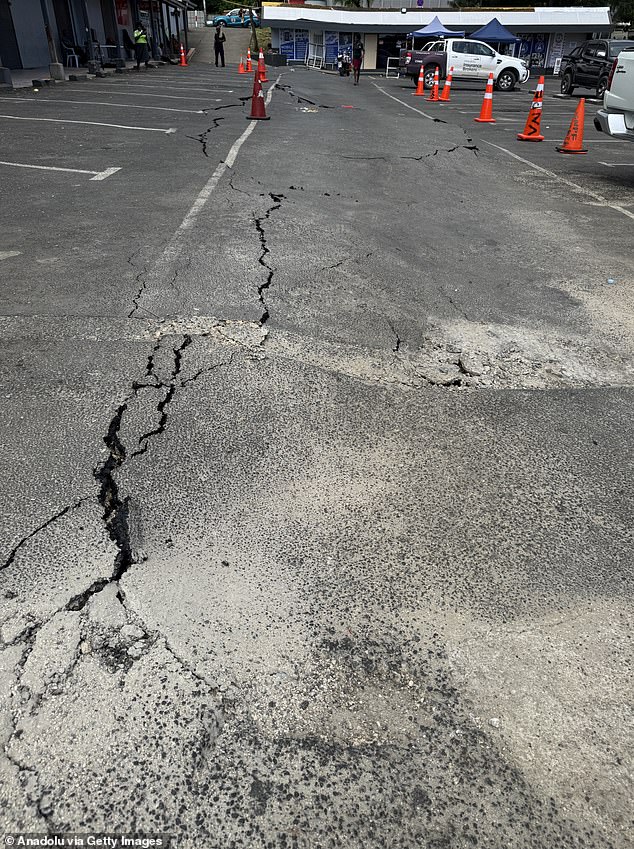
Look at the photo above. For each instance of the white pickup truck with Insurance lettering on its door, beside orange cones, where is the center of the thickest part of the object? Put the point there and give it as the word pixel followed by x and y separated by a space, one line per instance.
pixel 471 60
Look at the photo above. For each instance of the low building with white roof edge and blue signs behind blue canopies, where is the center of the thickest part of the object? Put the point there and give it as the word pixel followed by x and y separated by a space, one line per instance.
pixel 316 34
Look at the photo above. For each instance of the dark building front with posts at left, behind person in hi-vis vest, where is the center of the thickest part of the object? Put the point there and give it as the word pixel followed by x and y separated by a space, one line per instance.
pixel 34 33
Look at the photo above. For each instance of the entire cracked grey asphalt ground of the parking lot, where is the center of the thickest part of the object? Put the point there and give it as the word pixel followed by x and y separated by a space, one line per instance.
pixel 317 503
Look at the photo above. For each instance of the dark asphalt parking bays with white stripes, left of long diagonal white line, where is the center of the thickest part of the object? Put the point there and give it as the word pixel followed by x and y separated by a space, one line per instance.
pixel 96 164
